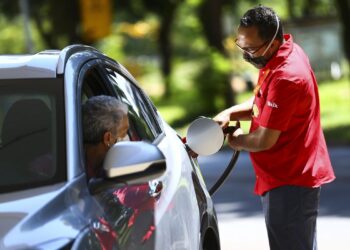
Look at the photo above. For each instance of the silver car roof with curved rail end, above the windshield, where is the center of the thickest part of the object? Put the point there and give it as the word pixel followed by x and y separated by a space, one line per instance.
pixel 45 64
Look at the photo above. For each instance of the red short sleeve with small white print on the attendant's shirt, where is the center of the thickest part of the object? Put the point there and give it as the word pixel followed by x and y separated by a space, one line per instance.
pixel 281 103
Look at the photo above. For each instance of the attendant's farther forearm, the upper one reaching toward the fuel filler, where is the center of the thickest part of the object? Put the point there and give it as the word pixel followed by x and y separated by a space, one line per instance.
pixel 240 112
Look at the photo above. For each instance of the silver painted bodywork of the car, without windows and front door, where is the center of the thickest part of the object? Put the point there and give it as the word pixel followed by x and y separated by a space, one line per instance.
pixel 55 216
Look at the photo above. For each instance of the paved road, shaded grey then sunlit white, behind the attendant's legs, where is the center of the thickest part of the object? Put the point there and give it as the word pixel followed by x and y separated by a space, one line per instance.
pixel 239 211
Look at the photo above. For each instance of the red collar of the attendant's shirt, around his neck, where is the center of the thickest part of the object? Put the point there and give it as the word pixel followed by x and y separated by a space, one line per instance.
pixel 282 53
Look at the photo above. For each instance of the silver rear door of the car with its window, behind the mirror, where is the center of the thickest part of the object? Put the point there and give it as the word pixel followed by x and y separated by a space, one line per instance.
pixel 177 217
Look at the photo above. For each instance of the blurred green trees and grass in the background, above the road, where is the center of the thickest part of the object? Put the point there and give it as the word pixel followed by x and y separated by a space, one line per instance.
pixel 182 52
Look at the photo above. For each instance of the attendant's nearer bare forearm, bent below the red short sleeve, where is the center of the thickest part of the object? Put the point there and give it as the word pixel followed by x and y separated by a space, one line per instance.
pixel 259 140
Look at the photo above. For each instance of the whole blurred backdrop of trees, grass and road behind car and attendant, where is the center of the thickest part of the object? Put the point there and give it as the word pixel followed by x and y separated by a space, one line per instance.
pixel 183 55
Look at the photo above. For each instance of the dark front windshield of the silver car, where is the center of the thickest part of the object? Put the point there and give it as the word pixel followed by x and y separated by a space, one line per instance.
pixel 31 133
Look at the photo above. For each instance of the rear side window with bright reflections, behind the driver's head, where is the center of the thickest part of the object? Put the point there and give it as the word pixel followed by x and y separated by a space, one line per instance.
pixel 141 113
